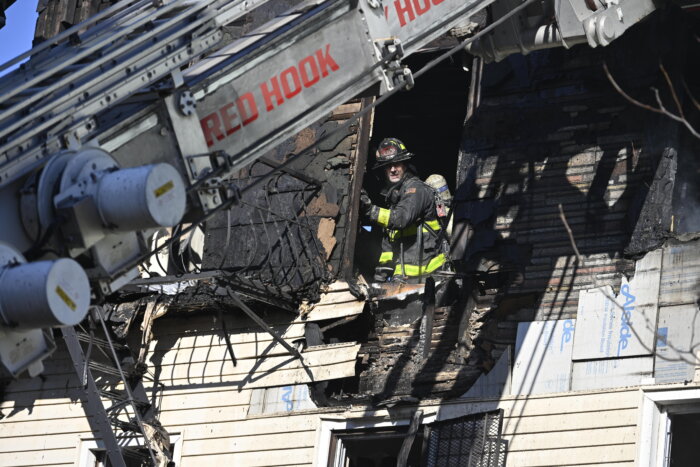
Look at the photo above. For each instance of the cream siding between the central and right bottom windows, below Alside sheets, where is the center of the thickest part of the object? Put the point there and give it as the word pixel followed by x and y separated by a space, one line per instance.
pixel 566 429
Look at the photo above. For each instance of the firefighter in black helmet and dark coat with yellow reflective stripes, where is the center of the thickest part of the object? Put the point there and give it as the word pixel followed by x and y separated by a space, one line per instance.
pixel 410 243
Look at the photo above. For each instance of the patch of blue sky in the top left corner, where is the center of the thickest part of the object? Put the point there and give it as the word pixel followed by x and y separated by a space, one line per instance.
pixel 16 36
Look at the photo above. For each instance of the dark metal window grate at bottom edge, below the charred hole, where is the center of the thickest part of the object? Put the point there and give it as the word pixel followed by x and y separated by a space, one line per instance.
pixel 471 441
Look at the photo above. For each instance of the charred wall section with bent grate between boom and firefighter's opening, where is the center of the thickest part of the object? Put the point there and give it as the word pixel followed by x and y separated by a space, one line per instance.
pixel 291 232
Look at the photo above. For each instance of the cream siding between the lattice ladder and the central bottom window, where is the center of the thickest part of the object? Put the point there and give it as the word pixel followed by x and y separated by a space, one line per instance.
pixel 204 402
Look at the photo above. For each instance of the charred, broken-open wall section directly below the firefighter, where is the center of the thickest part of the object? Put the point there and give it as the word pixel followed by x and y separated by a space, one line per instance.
pixel 404 359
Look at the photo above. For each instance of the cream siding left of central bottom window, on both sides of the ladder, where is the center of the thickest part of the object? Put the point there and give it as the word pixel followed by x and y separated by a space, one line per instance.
pixel 206 398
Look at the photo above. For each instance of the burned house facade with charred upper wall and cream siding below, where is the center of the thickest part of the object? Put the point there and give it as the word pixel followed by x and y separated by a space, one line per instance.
pixel 565 335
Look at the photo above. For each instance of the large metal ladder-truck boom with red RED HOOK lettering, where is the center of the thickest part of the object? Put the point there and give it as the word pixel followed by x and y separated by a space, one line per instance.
pixel 110 124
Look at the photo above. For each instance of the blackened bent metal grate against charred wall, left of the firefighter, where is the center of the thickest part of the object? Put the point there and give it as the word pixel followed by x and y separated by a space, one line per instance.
pixel 269 243
